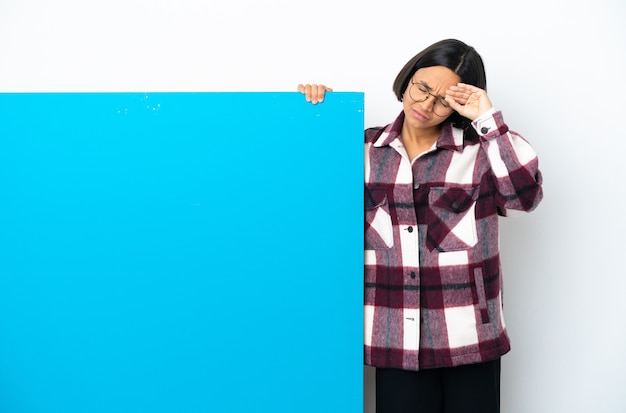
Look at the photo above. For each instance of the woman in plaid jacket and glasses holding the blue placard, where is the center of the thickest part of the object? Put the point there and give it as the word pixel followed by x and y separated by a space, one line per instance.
pixel 436 181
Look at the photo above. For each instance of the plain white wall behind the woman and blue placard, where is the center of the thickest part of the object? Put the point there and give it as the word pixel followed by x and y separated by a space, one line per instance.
pixel 555 68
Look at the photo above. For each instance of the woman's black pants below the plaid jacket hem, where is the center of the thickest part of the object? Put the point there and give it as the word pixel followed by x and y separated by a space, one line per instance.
pixel 473 388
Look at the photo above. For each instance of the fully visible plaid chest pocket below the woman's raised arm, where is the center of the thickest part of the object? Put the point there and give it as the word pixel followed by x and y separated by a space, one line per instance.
pixel 451 219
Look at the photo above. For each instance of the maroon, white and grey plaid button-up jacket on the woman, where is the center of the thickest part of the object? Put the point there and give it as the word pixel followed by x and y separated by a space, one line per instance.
pixel 433 280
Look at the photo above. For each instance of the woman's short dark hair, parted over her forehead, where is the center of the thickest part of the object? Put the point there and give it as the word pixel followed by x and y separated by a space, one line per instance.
pixel 457 56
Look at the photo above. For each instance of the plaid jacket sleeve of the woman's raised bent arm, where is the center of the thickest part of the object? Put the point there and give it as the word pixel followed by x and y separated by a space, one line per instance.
pixel 514 164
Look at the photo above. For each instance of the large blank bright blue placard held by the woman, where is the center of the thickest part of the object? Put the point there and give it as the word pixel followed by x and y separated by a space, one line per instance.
pixel 180 252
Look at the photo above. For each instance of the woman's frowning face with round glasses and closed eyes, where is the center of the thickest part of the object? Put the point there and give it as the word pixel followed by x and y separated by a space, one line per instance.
pixel 423 99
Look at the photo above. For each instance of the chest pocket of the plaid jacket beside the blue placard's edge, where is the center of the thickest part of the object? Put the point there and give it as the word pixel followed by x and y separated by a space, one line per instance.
pixel 378 226
